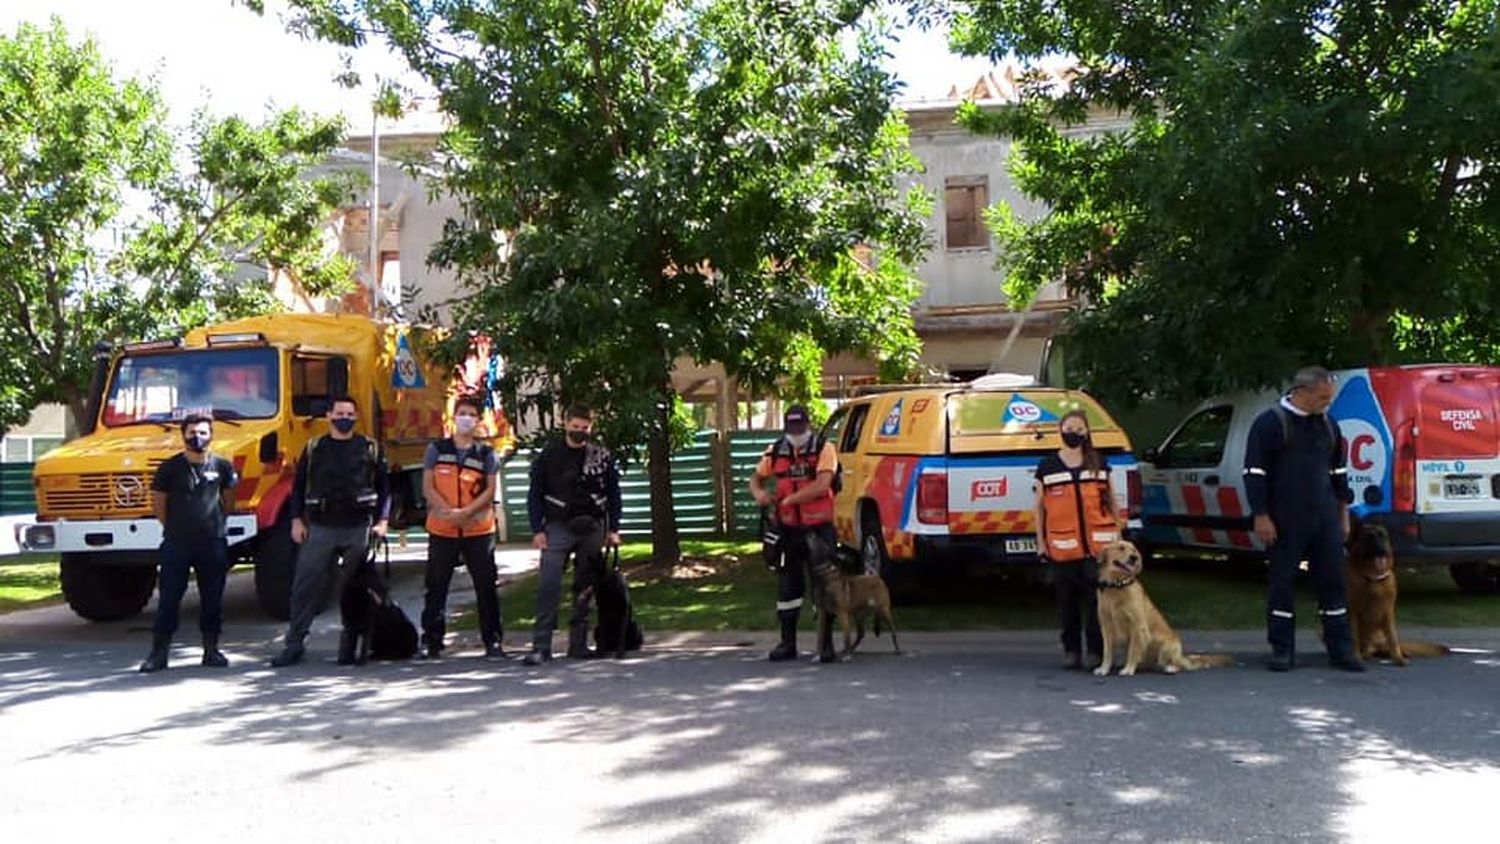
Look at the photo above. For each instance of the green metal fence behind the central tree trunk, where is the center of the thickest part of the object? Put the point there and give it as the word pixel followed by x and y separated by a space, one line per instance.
pixel 706 476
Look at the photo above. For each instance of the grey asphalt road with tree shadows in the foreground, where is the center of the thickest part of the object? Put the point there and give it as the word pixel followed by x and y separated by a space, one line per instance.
pixel 964 738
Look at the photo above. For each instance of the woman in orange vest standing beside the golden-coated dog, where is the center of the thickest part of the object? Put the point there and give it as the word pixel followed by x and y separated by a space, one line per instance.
pixel 1075 519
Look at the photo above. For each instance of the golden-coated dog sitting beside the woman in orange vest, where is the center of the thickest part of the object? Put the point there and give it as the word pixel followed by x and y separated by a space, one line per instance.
pixel 1129 618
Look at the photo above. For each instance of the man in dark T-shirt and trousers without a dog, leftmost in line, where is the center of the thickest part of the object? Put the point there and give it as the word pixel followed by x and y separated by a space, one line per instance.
pixel 190 497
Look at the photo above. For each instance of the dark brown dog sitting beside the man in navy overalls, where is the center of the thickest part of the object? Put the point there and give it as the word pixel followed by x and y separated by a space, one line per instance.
pixel 1372 573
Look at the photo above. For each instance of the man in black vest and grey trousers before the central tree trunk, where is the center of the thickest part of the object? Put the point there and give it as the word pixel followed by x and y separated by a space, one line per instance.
pixel 575 507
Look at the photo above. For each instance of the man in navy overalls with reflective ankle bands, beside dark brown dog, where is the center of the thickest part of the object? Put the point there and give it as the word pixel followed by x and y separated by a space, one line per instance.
pixel 1300 495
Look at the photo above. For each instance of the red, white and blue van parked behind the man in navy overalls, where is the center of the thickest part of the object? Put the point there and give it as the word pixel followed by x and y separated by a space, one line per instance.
pixel 1424 461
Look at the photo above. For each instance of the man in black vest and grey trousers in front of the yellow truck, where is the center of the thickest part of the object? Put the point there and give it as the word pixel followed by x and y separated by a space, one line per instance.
pixel 340 500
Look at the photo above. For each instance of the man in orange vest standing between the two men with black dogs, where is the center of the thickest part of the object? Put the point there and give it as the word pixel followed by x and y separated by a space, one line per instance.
pixel 458 482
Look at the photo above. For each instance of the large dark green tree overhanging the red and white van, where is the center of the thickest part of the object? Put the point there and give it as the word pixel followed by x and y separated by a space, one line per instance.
pixel 1300 182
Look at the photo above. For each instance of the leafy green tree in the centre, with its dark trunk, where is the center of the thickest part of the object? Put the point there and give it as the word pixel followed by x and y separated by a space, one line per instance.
pixel 649 182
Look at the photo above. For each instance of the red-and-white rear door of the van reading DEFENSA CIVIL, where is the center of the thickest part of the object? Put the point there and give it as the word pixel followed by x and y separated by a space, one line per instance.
pixel 1459 444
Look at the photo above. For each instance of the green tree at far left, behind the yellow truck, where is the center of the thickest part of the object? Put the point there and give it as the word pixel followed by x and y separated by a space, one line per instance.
pixel 106 239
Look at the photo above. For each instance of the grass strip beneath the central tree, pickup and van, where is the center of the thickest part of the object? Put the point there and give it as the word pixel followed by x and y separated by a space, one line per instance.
pixel 725 587
